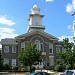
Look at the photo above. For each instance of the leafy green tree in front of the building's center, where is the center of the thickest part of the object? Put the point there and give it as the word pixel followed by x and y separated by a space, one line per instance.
pixel 29 56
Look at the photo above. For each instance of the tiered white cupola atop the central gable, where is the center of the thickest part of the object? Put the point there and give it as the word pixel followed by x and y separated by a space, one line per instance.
pixel 35 20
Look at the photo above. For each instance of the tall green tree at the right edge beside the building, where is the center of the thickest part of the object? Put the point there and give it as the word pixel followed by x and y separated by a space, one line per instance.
pixel 68 56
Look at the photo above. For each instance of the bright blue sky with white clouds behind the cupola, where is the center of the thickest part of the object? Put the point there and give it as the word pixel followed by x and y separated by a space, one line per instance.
pixel 57 20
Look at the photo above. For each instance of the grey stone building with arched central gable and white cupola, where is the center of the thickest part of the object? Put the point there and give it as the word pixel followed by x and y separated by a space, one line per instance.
pixel 45 42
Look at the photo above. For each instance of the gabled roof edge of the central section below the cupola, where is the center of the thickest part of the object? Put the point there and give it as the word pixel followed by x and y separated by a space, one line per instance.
pixel 49 36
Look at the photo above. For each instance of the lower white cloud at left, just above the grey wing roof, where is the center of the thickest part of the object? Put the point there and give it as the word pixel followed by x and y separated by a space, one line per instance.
pixel 7 33
